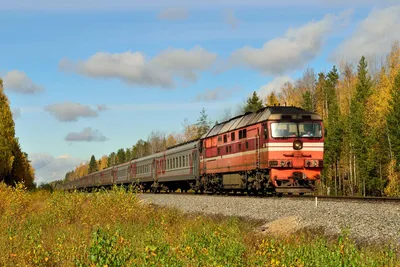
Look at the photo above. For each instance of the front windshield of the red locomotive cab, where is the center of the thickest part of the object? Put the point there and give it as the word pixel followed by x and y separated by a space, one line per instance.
pixel 292 129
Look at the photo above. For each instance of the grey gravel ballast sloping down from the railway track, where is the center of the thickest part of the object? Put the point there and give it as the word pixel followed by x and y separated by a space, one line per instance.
pixel 369 222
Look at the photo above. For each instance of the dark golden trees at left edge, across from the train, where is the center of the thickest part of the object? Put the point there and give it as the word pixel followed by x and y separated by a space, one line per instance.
pixel 15 166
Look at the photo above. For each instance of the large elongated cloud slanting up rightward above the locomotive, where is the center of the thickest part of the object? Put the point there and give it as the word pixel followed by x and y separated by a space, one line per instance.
pixel 291 51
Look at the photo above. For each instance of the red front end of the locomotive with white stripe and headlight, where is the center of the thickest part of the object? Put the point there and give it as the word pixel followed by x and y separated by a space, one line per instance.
pixel 295 152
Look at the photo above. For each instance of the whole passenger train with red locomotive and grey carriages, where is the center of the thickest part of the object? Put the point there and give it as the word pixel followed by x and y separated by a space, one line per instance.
pixel 275 150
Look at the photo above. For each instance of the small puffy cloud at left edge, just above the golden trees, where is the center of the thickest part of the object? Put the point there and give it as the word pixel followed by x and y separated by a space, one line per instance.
pixel 18 82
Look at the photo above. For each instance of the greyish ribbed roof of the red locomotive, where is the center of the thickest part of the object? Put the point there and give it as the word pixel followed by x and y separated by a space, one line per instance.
pixel 263 114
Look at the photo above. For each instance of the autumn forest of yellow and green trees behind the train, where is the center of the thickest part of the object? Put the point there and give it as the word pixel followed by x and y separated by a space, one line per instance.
pixel 360 107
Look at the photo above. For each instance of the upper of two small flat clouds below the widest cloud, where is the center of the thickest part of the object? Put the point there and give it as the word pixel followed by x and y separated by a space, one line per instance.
pixel 69 111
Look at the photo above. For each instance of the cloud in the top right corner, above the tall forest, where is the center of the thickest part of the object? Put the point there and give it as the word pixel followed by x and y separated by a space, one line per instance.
pixel 373 36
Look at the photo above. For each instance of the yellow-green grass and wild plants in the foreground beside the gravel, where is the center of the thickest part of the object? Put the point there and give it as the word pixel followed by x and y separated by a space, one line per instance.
pixel 114 228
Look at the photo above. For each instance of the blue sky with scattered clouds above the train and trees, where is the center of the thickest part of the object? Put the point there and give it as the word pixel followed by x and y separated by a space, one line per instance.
pixel 89 77
